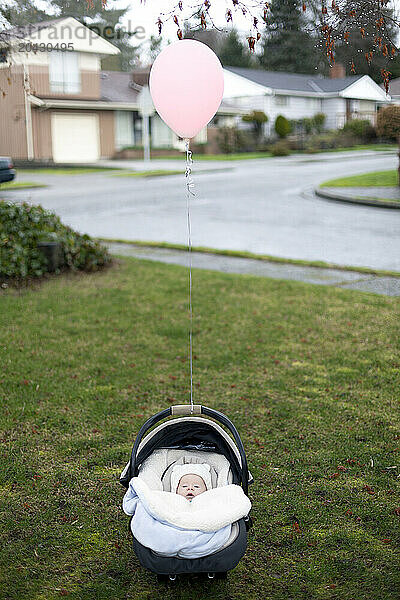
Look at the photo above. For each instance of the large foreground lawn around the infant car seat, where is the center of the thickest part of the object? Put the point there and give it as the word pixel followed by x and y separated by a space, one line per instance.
pixel 308 374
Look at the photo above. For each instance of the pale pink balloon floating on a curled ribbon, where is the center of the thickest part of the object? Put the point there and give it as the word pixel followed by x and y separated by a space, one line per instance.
pixel 186 85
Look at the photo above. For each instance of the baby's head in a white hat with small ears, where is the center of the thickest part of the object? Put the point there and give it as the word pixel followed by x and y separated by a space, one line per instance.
pixel 190 480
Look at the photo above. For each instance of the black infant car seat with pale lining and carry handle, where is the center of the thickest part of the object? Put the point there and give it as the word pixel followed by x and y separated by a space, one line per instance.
pixel 189 437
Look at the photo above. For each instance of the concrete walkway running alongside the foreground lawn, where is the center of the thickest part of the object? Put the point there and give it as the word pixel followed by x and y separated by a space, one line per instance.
pixel 387 286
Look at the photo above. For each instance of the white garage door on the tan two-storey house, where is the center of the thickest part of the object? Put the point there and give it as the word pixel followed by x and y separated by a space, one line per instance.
pixel 75 138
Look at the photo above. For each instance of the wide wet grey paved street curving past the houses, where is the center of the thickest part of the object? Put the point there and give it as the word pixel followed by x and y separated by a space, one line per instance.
pixel 263 206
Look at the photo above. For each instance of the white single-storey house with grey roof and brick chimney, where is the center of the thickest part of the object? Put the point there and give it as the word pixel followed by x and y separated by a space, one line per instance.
pixel 298 96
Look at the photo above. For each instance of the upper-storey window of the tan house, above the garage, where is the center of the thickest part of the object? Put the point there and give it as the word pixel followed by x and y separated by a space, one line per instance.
pixel 64 73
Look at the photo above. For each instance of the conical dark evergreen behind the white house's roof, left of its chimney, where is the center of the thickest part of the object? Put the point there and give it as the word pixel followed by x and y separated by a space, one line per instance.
pixel 287 45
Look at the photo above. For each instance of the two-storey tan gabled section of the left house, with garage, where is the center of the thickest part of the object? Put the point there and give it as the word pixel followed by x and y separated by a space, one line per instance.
pixel 51 107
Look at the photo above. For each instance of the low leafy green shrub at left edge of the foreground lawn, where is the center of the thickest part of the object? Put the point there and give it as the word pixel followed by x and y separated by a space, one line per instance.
pixel 22 226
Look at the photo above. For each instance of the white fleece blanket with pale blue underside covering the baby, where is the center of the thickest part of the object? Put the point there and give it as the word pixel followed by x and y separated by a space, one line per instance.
pixel 171 525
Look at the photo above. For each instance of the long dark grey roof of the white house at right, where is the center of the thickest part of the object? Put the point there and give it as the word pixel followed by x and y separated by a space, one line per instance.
pixel 295 82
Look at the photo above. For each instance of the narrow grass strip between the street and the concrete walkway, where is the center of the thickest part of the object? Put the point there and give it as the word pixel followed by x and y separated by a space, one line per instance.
pixel 245 254
